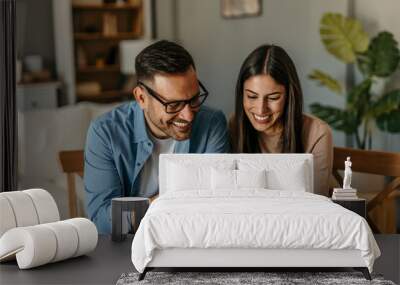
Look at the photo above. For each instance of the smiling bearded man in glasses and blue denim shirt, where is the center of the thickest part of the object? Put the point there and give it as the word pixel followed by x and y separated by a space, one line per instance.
pixel 123 146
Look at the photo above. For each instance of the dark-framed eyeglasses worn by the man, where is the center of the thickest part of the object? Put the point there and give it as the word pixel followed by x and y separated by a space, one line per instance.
pixel 177 106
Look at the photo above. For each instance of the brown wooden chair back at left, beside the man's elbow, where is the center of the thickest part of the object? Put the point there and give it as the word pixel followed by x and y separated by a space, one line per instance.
pixel 72 163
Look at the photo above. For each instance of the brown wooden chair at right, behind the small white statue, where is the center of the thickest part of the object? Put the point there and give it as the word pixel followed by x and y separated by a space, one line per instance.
pixel 373 162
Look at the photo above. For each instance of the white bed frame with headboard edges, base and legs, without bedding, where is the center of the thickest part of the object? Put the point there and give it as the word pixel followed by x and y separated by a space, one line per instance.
pixel 251 258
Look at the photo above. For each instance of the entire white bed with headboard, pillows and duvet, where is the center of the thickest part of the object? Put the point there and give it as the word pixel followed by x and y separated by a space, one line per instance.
pixel 218 210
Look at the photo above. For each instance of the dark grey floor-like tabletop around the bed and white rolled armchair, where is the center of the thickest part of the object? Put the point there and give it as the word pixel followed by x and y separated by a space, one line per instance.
pixel 110 259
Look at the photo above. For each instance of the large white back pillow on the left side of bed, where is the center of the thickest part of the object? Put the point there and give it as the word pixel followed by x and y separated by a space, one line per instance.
pixel 185 175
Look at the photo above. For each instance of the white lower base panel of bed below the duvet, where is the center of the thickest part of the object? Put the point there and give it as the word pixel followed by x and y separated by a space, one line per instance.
pixel 234 257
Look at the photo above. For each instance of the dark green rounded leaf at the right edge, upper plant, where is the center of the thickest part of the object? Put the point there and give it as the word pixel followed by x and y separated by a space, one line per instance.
pixel 382 57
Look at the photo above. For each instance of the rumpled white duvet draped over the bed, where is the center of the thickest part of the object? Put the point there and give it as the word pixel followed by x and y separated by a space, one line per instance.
pixel 253 218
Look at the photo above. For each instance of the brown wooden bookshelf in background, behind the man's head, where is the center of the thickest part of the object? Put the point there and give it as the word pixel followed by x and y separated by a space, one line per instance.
pixel 97 31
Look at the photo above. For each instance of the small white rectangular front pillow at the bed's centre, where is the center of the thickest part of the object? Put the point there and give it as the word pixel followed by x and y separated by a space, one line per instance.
pixel 237 179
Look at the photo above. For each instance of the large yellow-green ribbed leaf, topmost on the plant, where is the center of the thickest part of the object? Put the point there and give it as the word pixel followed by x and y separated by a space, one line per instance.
pixel 343 37
